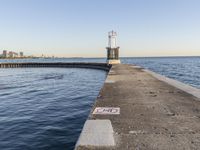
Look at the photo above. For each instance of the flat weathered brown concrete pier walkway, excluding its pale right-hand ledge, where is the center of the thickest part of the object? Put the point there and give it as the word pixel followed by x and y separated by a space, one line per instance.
pixel 147 114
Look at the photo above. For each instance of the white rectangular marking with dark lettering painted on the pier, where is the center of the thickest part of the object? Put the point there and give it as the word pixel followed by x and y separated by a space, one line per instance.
pixel 107 111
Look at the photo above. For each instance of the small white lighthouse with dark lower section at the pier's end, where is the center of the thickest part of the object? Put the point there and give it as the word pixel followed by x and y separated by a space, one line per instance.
pixel 112 49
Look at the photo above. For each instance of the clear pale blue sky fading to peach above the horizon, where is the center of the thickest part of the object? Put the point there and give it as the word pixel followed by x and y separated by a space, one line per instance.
pixel 79 28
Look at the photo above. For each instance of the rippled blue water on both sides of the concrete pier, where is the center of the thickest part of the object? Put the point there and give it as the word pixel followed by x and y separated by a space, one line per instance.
pixel 45 108
